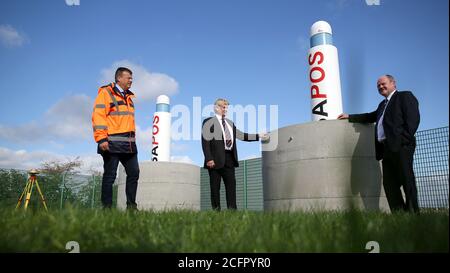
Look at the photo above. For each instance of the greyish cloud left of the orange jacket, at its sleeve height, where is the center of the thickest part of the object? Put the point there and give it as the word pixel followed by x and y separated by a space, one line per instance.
pixel 68 119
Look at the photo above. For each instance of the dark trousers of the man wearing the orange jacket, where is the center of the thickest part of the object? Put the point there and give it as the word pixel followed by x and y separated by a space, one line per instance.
pixel 110 164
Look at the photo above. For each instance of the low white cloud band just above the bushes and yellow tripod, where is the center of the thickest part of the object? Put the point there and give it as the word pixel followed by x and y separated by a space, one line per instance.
pixel 24 160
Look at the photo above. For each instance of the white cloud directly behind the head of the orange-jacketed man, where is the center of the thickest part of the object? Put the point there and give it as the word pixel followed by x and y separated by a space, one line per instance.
pixel 146 85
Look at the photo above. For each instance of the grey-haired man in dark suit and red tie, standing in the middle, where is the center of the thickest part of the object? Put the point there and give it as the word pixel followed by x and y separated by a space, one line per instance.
pixel 219 148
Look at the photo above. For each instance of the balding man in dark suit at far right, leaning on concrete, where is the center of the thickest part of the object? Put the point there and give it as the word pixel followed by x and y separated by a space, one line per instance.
pixel 397 119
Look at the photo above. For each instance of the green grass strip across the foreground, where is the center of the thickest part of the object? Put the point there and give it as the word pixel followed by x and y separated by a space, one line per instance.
pixel 242 231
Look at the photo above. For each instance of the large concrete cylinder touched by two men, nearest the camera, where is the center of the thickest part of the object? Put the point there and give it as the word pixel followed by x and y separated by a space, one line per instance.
pixel 322 165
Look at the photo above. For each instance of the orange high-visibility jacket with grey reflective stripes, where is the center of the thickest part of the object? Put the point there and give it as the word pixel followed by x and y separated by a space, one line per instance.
pixel 113 119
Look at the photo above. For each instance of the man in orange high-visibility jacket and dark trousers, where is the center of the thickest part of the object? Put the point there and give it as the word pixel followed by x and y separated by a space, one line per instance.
pixel 114 131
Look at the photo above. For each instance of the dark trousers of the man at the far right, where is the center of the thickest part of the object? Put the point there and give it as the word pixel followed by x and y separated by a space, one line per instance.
pixel 398 172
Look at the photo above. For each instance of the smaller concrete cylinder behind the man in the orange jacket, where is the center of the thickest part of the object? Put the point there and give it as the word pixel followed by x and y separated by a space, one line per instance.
pixel 163 186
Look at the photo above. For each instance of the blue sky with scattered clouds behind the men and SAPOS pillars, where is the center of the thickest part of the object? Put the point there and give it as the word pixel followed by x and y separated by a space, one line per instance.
pixel 55 56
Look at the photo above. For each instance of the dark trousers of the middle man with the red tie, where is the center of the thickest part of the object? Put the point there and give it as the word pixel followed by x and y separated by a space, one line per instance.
pixel 228 175
